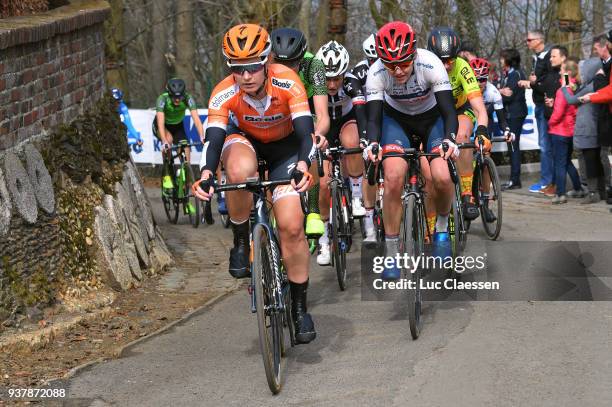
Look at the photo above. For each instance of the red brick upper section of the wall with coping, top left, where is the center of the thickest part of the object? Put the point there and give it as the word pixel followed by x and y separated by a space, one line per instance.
pixel 51 68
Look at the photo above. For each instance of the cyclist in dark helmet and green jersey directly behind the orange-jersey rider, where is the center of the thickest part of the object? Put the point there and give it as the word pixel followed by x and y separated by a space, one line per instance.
pixel 289 48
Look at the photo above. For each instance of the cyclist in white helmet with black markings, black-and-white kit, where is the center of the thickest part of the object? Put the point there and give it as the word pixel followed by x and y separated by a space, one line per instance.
pixel 347 113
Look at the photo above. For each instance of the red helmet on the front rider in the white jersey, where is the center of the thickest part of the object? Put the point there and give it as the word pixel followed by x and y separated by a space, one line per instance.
pixel 396 42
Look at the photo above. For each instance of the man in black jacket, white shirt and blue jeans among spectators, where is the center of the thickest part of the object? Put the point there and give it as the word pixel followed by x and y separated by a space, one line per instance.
pixel 541 70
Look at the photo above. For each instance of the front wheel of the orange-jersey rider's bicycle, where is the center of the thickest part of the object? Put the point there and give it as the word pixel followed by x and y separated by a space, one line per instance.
pixel 269 320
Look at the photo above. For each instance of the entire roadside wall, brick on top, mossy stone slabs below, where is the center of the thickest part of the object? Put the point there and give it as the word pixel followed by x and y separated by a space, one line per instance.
pixel 74 217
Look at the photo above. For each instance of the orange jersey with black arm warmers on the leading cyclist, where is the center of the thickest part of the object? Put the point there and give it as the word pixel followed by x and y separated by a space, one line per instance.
pixel 283 111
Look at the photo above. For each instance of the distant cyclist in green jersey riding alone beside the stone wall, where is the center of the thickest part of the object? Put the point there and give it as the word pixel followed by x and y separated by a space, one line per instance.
pixel 168 123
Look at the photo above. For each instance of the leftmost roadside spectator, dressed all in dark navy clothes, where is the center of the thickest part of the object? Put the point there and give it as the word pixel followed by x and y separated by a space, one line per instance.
pixel 515 107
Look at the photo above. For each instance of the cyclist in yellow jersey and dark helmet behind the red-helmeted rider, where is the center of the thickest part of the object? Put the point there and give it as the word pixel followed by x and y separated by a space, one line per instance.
pixel 445 43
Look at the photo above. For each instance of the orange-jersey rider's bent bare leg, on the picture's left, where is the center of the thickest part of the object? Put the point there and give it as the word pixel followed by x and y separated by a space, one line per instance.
pixel 239 162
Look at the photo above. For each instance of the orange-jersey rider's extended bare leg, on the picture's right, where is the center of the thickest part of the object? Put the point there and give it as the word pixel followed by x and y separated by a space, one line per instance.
pixel 290 221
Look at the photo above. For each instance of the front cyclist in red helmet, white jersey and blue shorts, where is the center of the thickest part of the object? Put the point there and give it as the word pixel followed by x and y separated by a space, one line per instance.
pixel 409 94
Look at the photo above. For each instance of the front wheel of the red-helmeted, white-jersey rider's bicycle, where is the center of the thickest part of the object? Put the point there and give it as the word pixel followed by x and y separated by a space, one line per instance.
pixel 412 243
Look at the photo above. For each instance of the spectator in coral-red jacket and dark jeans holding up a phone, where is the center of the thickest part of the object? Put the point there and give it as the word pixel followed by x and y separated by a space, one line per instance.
pixel 561 128
